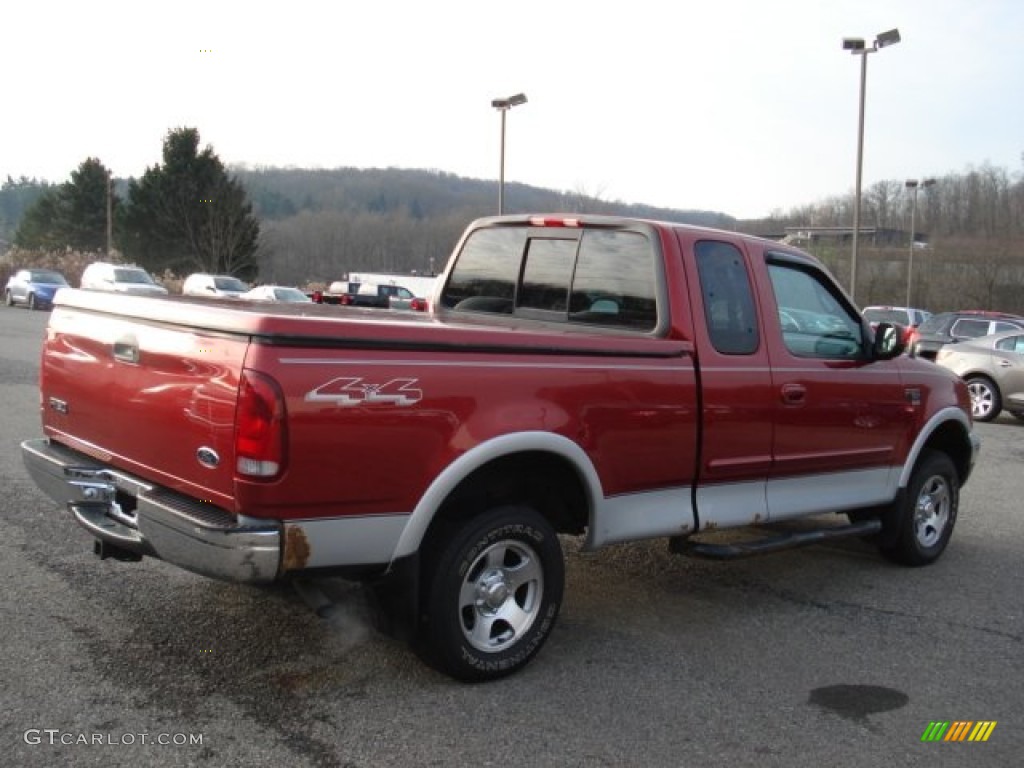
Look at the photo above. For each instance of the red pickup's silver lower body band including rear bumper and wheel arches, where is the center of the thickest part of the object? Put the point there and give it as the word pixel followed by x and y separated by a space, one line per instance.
pixel 130 514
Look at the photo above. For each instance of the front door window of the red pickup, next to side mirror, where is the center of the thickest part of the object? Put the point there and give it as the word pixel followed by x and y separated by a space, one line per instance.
pixel 815 320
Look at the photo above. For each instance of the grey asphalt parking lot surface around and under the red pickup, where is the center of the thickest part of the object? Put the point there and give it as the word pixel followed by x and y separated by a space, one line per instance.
pixel 826 656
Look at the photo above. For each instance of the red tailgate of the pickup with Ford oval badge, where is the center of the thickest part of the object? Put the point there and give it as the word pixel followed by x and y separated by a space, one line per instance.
pixel 153 399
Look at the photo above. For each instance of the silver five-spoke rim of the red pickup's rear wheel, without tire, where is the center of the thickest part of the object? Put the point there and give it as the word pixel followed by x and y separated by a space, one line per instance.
pixel 501 596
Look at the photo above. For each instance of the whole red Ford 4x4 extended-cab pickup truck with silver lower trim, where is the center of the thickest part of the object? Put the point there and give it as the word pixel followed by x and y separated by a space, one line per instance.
pixel 610 378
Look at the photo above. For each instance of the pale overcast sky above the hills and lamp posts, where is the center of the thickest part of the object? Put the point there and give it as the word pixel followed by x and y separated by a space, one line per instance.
pixel 744 107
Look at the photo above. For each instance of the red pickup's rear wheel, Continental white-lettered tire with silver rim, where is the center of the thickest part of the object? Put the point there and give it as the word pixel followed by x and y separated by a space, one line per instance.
pixel 493 591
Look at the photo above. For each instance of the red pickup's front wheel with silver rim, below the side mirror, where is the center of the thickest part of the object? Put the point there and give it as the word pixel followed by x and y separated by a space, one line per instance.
pixel 928 513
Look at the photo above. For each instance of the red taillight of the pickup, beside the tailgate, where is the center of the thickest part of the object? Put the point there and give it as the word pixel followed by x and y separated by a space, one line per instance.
pixel 260 428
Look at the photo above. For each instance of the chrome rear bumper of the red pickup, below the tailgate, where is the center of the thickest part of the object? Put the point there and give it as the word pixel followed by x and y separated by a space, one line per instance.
pixel 126 513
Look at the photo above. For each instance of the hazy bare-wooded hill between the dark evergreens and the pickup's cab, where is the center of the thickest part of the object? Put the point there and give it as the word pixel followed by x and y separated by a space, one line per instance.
pixel 320 225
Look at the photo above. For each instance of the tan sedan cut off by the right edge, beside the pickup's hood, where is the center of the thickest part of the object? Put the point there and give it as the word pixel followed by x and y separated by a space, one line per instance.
pixel 994 370
